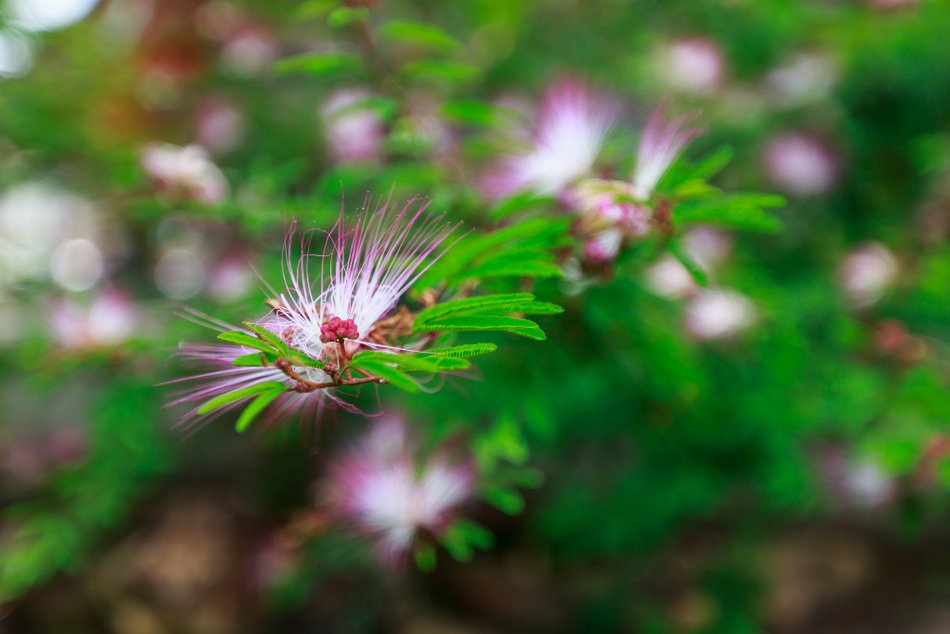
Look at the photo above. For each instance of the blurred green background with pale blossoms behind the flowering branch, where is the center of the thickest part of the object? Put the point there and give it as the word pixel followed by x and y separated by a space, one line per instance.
pixel 771 454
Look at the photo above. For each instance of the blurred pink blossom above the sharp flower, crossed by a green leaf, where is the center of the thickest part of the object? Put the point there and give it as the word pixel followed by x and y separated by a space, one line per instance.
pixel 354 134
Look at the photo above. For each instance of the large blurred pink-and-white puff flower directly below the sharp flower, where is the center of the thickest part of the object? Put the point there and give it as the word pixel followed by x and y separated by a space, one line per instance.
pixel 383 492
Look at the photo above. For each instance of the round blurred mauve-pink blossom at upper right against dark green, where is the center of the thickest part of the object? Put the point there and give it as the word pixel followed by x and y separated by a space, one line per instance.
pixel 800 164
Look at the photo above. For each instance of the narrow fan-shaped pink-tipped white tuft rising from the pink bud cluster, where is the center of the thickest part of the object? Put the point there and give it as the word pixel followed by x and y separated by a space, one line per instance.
pixel 660 145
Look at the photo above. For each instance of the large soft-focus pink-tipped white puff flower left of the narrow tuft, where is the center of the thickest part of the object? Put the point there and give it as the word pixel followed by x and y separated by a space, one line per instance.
pixel 571 125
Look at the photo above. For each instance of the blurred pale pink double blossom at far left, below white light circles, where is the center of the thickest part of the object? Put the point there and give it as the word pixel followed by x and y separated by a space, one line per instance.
pixel 109 320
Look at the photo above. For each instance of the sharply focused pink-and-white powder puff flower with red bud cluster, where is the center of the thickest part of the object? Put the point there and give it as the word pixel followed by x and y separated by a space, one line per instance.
pixel 325 318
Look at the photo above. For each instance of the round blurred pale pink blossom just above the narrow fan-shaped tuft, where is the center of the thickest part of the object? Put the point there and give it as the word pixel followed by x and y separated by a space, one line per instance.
pixel 693 65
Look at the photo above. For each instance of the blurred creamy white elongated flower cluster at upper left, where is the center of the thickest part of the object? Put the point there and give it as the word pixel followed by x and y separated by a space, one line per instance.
pixel 187 170
